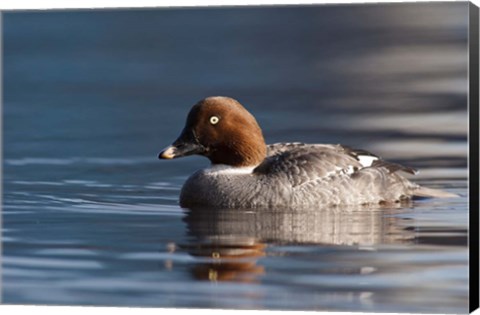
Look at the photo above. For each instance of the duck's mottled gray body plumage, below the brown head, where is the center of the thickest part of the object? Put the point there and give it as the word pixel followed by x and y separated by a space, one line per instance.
pixel 301 175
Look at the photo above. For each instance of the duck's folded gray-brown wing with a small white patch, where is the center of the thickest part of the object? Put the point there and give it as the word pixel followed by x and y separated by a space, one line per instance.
pixel 302 163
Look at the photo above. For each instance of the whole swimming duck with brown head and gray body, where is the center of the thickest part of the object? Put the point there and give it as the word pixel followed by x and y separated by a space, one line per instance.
pixel 245 172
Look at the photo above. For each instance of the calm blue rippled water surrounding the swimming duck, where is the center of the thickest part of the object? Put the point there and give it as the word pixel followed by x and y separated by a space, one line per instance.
pixel 90 216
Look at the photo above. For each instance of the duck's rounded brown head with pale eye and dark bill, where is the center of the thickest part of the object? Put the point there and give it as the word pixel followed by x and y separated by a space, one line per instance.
pixel 221 129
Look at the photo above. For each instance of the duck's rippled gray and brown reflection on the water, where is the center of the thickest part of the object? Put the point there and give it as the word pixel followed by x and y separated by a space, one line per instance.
pixel 231 241
